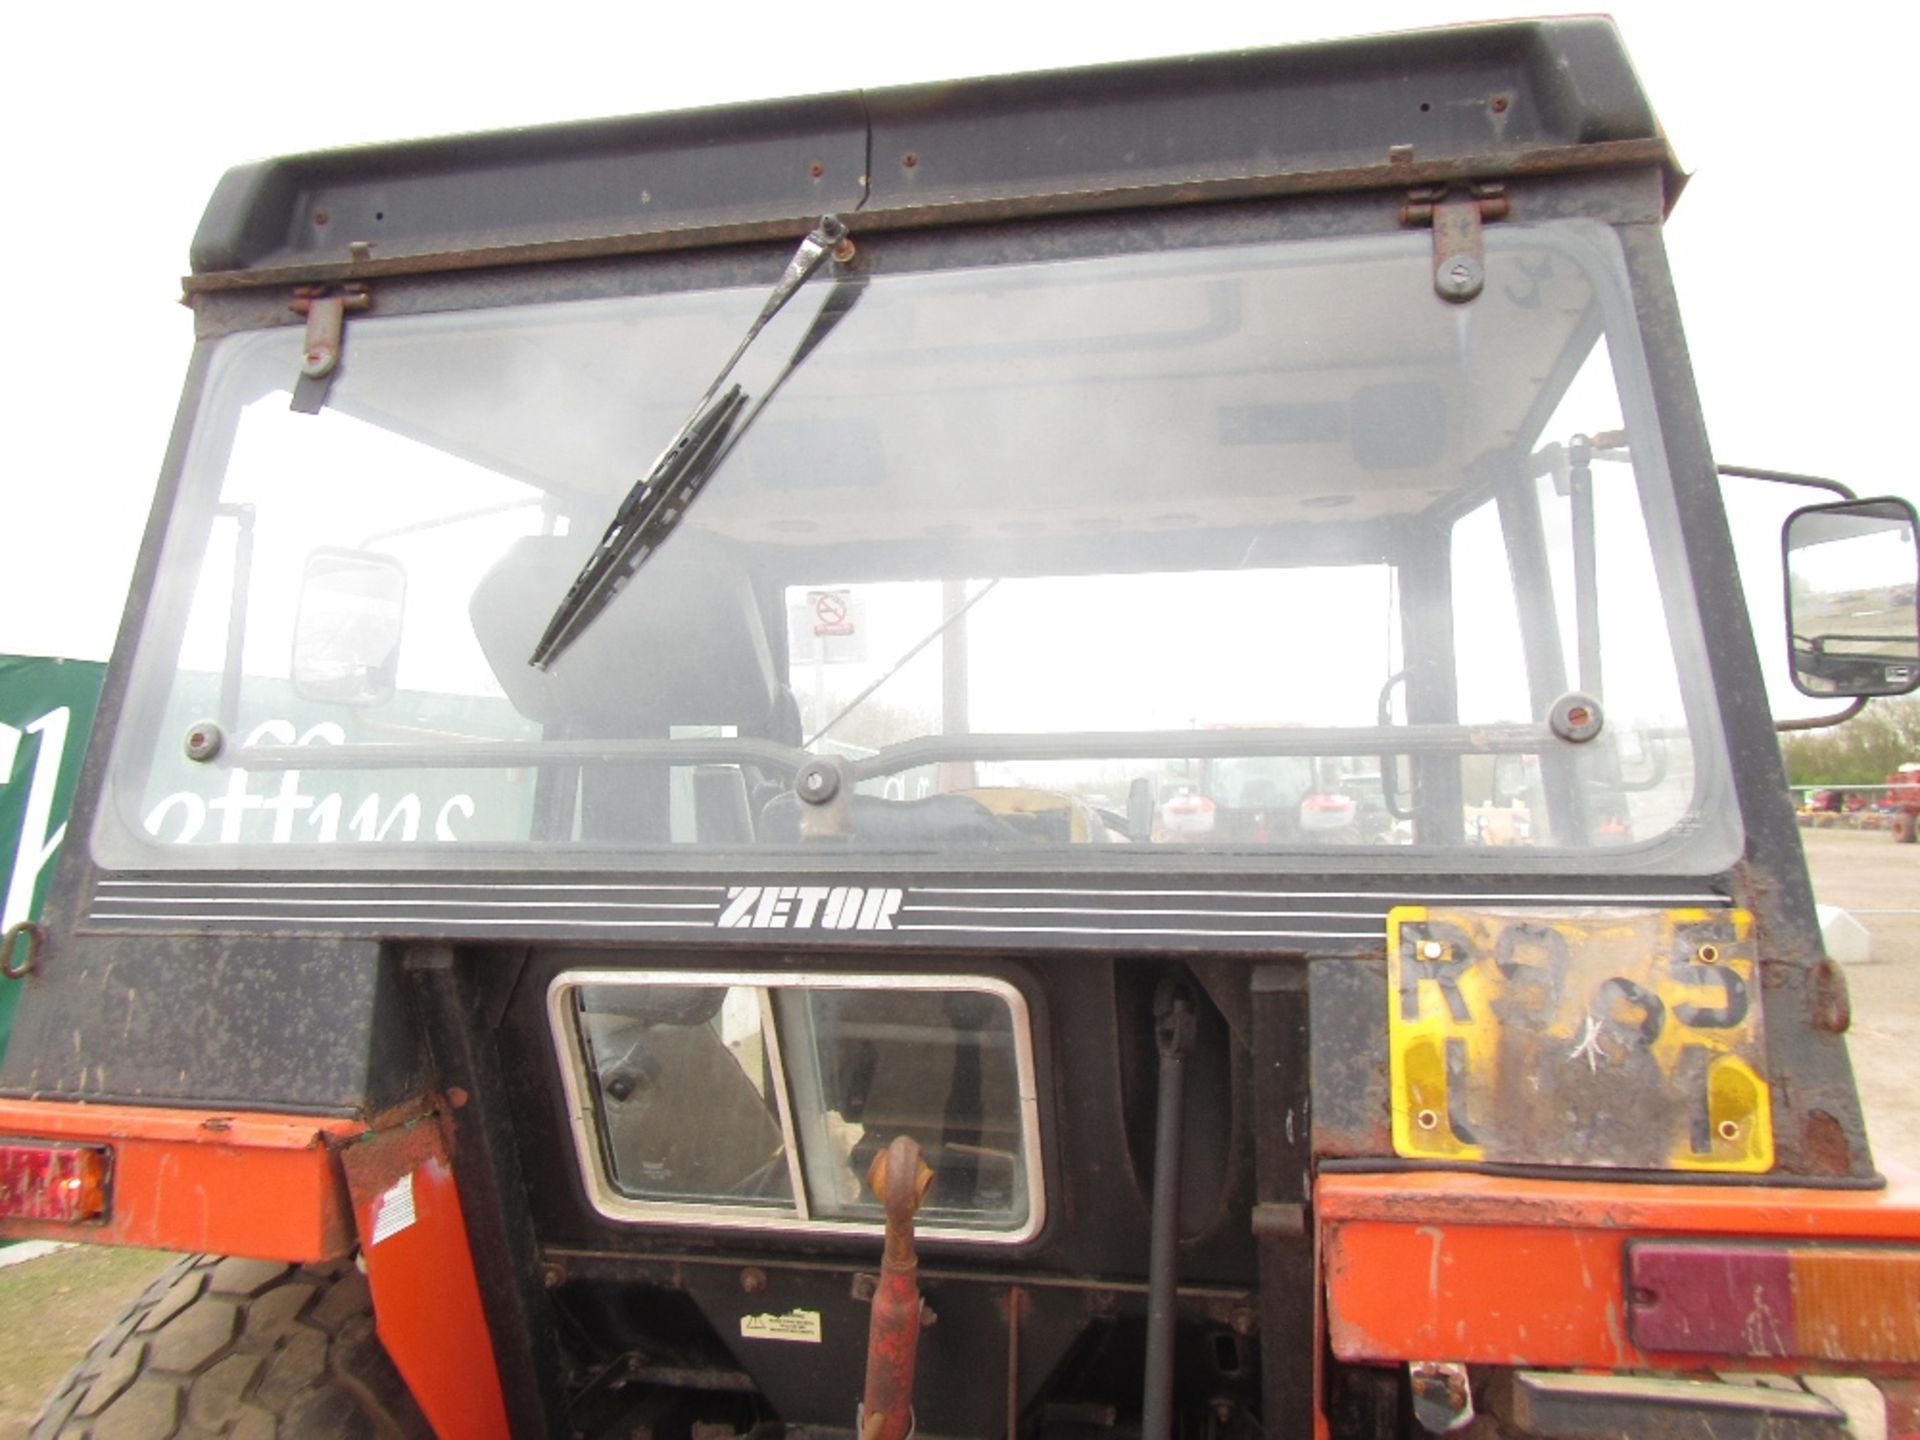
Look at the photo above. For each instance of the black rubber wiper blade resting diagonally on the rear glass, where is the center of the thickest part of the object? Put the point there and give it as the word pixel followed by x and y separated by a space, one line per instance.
pixel 646 517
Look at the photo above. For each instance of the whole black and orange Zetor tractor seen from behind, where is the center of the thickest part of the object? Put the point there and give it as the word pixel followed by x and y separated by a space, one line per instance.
pixel 1067 757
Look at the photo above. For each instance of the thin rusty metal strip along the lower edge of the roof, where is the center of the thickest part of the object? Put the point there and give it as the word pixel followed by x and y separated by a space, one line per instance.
pixel 1387 176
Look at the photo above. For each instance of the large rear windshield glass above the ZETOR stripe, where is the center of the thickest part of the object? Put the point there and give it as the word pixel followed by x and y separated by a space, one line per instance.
pixel 1222 550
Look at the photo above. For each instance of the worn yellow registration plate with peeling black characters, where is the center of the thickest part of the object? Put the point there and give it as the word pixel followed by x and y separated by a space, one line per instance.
pixel 1591 1038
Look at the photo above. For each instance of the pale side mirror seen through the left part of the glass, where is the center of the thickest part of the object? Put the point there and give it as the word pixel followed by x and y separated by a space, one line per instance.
pixel 347 636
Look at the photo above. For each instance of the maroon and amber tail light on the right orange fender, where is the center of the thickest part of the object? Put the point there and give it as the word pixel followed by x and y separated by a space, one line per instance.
pixel 1854 1303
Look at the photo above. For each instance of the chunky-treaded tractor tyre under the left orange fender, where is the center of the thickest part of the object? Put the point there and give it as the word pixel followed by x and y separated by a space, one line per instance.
pixel 243 1349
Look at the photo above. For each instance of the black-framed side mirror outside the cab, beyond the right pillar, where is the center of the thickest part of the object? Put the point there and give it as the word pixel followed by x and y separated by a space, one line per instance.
pixel 1854 625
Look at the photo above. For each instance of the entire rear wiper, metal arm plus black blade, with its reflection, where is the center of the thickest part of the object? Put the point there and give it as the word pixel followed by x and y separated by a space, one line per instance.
pixel 658 502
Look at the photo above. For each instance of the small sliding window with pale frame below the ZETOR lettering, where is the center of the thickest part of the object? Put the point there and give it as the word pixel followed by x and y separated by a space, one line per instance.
pixel 761 1101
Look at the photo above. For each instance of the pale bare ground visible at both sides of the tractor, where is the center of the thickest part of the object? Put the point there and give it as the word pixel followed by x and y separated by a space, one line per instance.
pixel 57 1305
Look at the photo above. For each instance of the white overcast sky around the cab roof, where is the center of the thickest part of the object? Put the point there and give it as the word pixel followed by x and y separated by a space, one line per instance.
pixel 1792 249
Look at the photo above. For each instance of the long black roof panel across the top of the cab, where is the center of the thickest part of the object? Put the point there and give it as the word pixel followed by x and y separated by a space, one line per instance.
pixel 1347 114
